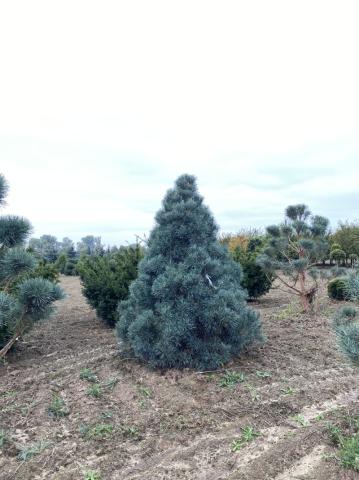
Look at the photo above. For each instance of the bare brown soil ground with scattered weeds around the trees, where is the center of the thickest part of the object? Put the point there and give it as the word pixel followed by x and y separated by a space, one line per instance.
pixel 70 406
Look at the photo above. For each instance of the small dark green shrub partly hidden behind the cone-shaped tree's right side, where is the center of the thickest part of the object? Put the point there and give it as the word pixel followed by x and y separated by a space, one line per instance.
pixel 255 280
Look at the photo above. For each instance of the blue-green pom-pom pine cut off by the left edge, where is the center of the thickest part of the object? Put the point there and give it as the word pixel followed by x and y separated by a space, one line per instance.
pixel 23 300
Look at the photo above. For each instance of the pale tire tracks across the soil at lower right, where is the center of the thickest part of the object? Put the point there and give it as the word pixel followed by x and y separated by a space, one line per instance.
pixel 214 449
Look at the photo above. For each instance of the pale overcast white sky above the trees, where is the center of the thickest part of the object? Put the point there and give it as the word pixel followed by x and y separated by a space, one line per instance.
pixel 104 103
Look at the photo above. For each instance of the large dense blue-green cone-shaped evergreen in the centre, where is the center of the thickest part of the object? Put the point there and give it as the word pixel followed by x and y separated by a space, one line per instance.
pixel 187 307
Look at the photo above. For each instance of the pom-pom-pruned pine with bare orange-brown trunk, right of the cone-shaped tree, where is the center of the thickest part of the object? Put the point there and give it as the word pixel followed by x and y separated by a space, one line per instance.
pixel 294 249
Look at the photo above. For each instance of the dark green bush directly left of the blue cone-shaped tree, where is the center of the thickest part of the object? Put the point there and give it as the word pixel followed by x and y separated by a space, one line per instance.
pixel 106 279
